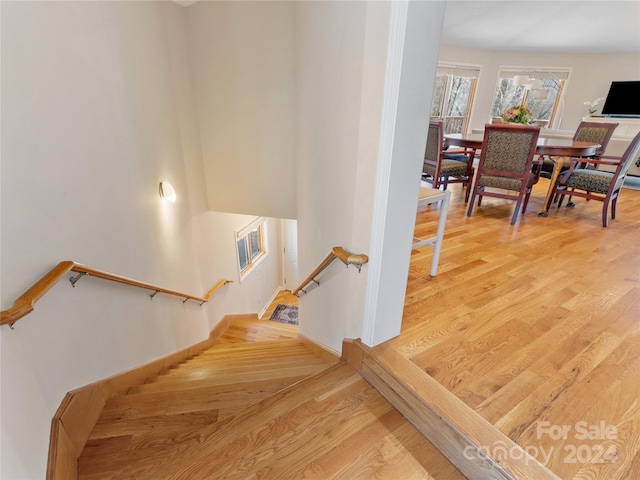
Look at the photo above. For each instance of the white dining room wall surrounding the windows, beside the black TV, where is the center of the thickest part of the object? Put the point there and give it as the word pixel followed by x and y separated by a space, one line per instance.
pixel 590 78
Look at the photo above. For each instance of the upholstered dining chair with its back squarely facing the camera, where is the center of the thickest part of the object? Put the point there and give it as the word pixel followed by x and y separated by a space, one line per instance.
pixel 506 164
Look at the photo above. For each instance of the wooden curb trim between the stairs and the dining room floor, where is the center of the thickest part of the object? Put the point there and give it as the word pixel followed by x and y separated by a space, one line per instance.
pixel 460 433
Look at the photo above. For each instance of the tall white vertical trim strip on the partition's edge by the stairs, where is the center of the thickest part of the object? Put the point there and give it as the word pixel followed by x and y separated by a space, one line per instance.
pixel 397 30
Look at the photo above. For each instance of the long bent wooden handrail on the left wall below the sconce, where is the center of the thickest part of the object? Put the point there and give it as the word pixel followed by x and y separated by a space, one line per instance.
pixel 25 303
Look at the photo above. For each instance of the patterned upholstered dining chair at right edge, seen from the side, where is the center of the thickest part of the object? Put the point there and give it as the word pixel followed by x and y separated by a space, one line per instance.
pixel 594 184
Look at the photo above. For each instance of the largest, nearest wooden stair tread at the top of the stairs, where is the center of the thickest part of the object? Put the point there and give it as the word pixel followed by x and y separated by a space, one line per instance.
pixel 299 432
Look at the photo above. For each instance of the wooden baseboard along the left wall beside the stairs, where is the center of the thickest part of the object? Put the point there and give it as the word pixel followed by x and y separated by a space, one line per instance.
pixel 80 409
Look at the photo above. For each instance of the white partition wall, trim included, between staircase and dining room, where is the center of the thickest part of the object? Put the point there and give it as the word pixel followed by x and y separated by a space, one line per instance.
pixel 341 64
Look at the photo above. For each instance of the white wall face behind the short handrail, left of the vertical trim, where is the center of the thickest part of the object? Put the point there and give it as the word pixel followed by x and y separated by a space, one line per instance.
pixel 329 68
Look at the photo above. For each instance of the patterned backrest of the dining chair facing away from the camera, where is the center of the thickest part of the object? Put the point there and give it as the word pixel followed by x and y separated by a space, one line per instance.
pixel 508 150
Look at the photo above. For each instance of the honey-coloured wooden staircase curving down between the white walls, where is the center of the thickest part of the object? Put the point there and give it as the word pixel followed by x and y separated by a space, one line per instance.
pixel 260 404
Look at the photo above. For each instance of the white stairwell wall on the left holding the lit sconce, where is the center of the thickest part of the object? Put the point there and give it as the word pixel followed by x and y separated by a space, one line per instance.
pixel 97 108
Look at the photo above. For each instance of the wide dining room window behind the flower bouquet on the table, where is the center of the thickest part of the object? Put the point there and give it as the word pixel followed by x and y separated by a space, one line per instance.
pixel 543 102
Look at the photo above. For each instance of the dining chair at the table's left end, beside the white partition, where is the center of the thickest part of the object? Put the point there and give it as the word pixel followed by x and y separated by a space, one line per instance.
pixel 439 170
